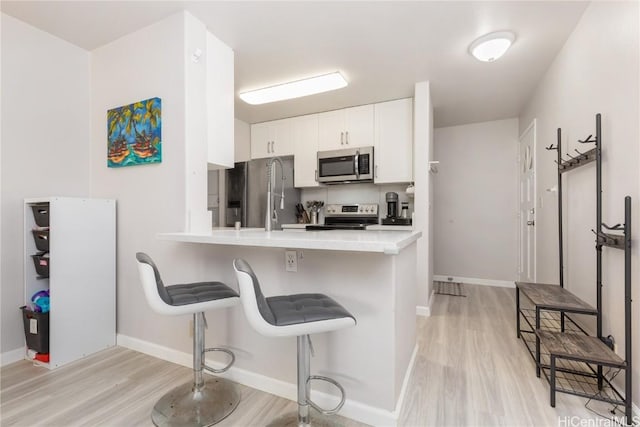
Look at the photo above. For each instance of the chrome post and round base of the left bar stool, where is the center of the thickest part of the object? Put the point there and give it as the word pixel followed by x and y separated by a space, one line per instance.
pixel 199 403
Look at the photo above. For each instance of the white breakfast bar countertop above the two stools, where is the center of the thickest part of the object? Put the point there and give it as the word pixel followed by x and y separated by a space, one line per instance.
pixel 387 242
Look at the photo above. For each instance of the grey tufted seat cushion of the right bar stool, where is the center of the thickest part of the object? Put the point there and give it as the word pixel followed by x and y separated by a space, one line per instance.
pixel 303 308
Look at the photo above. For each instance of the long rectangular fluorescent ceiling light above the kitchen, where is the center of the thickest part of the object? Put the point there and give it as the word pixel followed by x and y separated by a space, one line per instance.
pixel 295 89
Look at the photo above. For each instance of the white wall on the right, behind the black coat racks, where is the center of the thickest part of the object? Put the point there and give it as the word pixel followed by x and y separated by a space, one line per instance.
pixel 596 72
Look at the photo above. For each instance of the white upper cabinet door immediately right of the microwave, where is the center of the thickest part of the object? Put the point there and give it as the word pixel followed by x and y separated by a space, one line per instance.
pixel 393 149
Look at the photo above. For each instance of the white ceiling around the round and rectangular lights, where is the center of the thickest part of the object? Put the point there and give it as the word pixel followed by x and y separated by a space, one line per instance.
pixel 381 47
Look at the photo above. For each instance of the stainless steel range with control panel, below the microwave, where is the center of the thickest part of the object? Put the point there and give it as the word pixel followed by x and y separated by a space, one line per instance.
pixel 348 217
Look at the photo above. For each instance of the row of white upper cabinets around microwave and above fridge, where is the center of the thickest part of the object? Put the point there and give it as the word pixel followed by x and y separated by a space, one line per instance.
pixel 387 126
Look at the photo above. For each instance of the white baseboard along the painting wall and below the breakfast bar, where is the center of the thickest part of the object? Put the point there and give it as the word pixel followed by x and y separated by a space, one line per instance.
pixel 352 409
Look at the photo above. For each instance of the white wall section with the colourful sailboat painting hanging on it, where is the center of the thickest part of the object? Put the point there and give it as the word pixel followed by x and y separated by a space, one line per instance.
pixel 151 198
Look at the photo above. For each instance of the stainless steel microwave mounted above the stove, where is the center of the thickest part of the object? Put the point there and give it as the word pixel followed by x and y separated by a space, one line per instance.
pixel 346 165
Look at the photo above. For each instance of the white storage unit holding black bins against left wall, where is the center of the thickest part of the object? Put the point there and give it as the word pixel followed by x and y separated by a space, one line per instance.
pixel 81 274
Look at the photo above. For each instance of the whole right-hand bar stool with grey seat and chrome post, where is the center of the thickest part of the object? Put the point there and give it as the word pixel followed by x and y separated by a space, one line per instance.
pixel 293 315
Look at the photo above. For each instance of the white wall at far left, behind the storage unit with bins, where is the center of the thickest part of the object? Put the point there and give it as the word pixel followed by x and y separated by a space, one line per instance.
pixel 45 150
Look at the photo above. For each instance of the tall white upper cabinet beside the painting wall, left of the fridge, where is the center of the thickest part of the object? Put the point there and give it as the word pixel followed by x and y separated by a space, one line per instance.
pixel 220 103
